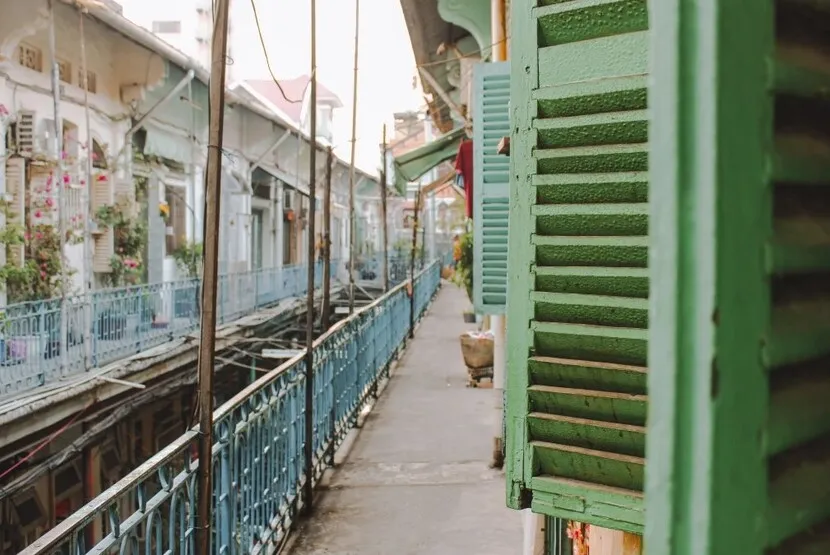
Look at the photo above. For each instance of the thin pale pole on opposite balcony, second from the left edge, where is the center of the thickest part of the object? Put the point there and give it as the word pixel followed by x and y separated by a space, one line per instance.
pixel 87 197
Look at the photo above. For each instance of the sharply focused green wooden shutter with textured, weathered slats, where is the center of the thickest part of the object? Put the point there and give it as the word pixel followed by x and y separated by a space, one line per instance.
pixel 578 276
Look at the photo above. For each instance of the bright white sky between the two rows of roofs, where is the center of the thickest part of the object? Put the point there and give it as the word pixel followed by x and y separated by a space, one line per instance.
pixel 386 63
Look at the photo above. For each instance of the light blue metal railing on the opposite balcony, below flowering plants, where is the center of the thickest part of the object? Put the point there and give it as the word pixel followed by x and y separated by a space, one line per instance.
pixel 121 322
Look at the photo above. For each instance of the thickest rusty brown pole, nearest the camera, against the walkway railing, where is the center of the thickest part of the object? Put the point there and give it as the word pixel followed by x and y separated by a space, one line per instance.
pixel 207 344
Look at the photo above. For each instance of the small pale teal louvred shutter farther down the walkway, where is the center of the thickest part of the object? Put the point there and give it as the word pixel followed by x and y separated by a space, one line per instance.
pixel 491 122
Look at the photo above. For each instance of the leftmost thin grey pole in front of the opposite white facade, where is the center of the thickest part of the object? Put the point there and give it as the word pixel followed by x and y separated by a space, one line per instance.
pixel 61 188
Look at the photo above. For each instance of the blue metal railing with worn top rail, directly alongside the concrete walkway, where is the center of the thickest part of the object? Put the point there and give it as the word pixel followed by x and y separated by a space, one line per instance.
pixel 258 460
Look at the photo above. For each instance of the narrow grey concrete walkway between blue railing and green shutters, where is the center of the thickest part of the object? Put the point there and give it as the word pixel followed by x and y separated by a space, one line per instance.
pixel 416 481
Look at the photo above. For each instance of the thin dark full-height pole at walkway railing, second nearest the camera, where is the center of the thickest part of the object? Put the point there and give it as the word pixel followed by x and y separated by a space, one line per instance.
pixel 308 485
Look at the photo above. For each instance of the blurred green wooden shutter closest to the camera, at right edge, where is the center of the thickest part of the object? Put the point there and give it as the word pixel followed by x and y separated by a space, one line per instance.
pixel 739 428
